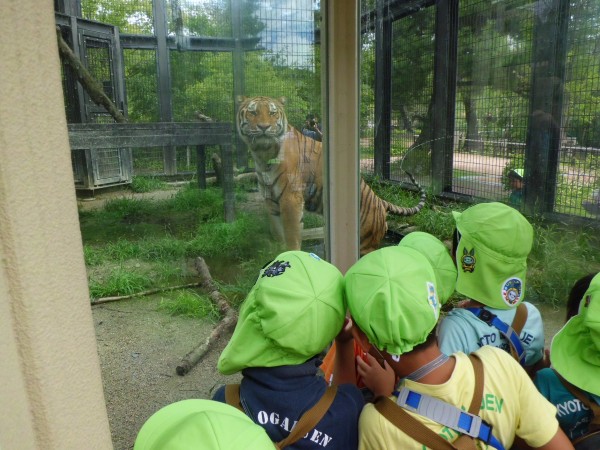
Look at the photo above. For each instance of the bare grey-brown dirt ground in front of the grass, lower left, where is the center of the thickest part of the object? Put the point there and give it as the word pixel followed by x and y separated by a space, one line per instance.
pixel 139 348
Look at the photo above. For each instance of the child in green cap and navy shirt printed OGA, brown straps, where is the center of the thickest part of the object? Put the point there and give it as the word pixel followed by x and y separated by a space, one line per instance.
pixel 294 310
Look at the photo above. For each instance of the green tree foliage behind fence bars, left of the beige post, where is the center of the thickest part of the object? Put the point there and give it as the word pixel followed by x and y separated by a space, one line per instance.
pixel 202 81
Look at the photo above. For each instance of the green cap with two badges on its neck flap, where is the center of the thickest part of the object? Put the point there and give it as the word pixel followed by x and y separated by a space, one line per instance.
pixel 495 241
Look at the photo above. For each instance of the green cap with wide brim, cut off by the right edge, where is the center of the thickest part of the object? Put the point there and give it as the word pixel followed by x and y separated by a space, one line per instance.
pixel 575 349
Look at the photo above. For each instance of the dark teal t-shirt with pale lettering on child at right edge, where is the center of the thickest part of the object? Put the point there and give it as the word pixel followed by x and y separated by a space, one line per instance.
pixel 574 418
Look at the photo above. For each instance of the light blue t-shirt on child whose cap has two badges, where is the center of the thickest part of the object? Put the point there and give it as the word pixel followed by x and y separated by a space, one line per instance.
pixel 462 331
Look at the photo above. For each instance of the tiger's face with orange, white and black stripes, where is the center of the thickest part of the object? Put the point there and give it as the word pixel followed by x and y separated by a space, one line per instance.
pixel 261 120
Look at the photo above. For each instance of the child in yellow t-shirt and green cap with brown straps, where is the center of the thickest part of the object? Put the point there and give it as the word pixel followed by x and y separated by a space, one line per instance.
pixel 393 298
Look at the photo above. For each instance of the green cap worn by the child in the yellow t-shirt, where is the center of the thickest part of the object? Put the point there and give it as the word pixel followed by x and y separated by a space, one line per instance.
pixel 392 298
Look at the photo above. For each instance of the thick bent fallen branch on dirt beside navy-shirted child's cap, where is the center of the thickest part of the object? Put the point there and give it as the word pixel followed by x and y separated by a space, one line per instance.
pixel 228 321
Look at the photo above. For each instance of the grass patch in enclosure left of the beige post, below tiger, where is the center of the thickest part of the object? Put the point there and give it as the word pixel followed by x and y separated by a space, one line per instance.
pixel 132 245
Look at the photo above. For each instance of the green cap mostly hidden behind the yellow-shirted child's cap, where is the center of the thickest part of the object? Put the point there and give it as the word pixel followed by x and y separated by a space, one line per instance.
pixel 439 257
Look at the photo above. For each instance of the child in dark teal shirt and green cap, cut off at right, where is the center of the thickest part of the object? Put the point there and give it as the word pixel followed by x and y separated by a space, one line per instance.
pixel 573 382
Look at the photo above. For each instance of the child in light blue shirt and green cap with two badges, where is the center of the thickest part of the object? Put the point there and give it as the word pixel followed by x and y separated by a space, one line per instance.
pixel 492 243
